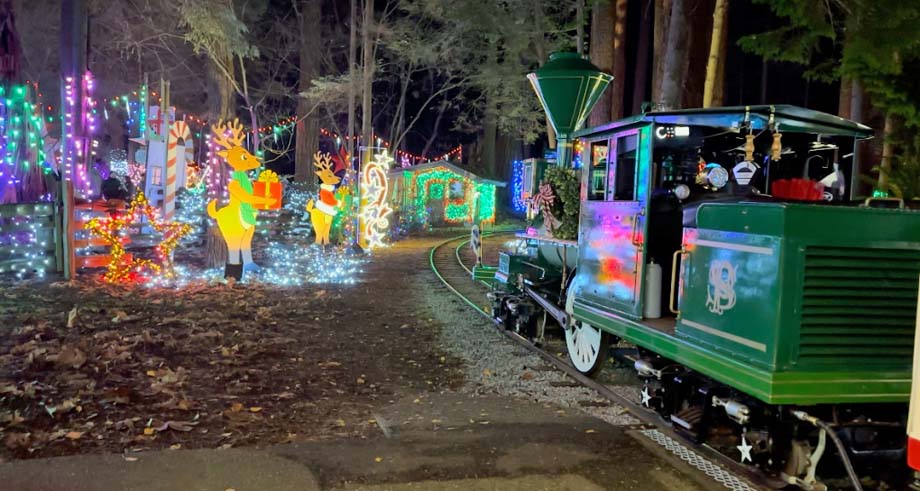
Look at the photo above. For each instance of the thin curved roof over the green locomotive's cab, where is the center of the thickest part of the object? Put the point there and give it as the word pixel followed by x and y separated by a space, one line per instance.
pixel 789 118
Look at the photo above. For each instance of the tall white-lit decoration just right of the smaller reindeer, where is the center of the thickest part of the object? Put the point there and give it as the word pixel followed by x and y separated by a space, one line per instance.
pixel 374 206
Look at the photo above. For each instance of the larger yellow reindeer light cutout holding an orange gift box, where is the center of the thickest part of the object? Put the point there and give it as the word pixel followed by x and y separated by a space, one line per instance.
pixel 237 220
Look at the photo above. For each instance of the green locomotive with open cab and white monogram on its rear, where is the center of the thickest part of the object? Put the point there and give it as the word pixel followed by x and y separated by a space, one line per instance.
pixel 773 312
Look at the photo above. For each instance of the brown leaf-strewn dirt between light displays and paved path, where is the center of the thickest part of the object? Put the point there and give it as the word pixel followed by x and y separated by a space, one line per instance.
pixel 87 367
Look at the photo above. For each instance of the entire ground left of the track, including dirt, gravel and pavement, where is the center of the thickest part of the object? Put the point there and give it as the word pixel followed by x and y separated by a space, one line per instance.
pixel 389 384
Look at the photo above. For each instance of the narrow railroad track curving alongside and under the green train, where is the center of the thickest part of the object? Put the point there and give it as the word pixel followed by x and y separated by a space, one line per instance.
pixel 450 262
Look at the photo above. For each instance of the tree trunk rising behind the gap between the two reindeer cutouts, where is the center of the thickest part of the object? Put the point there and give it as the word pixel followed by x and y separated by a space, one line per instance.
pixel 307 129
